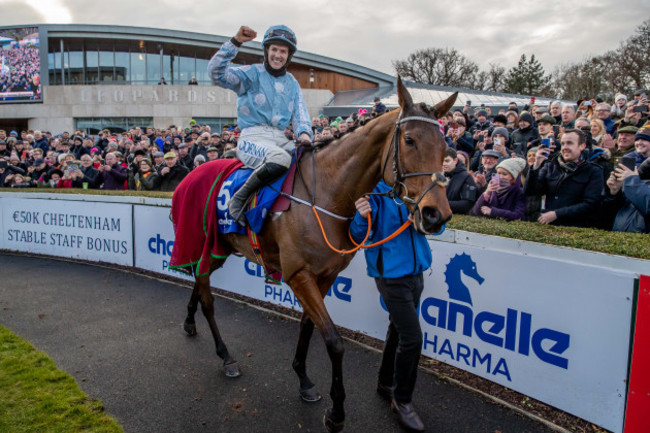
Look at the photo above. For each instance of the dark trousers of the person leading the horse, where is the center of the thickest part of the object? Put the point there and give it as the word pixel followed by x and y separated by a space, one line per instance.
pixel 399 364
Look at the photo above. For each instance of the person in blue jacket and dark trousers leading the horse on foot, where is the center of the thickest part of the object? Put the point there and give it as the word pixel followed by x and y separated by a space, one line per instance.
pixel 397 268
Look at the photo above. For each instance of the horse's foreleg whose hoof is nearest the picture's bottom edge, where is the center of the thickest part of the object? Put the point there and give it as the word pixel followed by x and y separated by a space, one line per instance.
pixel 306 290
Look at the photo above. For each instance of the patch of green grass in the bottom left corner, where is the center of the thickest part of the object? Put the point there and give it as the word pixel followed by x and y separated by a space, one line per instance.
pixel 35 396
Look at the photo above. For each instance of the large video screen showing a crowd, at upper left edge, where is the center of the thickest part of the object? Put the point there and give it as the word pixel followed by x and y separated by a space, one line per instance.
pixel 20 76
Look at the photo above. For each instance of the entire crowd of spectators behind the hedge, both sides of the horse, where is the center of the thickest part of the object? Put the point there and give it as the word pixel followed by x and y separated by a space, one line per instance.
pixel 583 164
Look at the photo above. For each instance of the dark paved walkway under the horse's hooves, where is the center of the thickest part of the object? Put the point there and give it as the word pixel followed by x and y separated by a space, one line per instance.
pixel 120 336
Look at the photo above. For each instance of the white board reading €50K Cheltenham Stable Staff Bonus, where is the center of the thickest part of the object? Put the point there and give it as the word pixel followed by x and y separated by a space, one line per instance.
pixel 75 229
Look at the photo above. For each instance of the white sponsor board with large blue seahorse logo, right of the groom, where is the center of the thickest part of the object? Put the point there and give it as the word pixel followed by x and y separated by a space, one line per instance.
pixel 556 331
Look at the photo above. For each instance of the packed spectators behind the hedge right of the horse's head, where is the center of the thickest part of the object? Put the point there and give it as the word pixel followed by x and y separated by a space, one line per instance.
pixel 584 164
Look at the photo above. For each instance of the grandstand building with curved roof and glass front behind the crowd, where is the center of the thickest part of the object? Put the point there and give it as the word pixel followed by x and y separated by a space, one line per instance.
pixel 93 77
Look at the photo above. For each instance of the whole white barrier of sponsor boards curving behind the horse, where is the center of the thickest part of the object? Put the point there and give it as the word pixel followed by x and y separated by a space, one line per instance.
pixel 553 323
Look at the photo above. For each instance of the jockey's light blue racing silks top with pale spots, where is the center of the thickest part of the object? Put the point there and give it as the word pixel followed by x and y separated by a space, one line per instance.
pixel 262 99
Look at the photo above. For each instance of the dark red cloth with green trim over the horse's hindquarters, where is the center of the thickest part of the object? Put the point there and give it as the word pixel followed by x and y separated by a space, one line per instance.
pixel 194 216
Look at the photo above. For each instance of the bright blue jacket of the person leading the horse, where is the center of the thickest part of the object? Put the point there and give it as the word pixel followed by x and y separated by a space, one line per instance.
pixel 407 254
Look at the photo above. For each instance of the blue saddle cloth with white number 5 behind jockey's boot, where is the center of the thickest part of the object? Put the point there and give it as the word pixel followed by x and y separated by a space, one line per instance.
pixel 265 199
